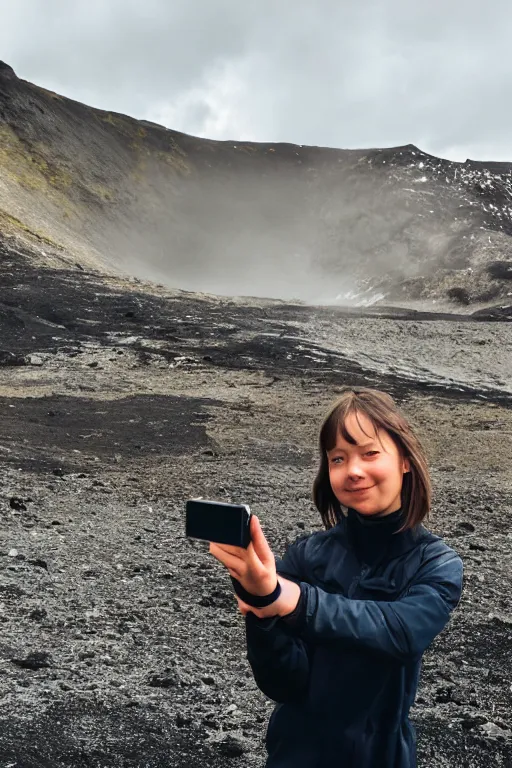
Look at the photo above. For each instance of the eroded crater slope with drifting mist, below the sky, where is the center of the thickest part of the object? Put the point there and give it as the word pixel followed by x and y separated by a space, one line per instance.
pixel 279 220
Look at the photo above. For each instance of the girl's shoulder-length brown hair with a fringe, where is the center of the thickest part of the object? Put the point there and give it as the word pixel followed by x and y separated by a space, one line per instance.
pixel 383 412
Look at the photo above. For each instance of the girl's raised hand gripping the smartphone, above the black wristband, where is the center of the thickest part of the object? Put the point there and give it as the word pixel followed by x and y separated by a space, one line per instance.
pixel 254 567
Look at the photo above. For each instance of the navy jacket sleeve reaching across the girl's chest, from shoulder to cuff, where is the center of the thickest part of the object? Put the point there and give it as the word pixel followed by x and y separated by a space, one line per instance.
pixel 401 629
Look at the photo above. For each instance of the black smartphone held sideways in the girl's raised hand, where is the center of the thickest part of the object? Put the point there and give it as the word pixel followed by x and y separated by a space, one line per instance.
pixel 219 522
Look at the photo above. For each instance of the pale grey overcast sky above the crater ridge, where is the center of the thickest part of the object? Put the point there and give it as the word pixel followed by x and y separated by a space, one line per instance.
pixel 339 73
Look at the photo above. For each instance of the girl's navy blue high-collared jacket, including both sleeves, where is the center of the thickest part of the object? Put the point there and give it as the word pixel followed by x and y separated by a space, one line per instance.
pixel 344 667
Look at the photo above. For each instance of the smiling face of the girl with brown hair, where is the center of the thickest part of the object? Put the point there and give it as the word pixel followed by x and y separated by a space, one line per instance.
pixel 368 476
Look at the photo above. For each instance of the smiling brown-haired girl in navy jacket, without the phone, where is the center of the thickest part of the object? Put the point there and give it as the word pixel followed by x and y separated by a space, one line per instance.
pixel 337 628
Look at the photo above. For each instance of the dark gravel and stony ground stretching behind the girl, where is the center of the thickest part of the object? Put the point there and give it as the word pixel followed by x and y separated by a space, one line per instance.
pixel 121 643
